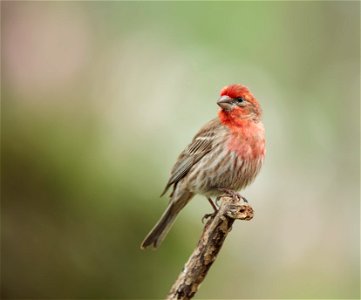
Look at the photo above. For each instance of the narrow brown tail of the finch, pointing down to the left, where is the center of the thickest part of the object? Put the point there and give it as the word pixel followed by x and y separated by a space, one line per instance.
pixel 160 230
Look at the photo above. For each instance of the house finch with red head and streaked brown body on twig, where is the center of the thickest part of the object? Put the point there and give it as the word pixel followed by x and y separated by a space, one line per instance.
pixel 225 155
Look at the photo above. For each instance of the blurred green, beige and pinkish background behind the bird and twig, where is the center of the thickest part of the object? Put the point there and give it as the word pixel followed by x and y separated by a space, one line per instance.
pixel 99 98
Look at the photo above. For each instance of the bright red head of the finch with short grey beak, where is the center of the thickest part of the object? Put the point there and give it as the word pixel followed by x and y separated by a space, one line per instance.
pixel 238 103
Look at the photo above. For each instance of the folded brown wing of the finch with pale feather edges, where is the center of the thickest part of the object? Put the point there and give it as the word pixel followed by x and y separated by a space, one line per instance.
pixel 201 144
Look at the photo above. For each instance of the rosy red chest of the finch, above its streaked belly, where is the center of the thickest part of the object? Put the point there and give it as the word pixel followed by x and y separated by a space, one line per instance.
pixel 248 142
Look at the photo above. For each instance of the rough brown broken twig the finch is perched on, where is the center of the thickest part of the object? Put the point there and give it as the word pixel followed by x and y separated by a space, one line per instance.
pixel 210 243
